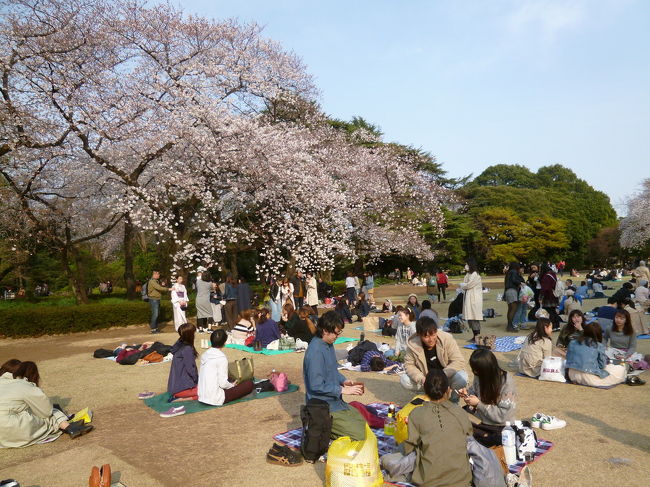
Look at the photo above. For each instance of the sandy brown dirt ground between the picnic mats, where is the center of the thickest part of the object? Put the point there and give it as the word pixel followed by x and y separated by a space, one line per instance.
pixel 606 441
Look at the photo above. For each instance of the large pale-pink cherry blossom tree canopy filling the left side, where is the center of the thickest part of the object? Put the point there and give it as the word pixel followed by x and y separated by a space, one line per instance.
pixel 193 131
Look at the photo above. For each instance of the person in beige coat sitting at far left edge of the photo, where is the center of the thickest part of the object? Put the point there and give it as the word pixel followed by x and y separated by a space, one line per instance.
pixel 27 416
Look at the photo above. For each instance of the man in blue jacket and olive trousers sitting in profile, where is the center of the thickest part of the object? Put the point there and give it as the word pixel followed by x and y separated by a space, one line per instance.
pixel 323 380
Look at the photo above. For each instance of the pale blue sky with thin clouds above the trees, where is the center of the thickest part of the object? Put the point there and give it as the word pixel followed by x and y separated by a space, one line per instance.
pixel 479 83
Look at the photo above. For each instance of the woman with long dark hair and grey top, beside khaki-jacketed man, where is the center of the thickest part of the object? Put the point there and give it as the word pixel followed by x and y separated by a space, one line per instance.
pixel 492 397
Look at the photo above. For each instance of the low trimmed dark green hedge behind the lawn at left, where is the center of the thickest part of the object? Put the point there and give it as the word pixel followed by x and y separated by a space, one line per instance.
pixel 56 320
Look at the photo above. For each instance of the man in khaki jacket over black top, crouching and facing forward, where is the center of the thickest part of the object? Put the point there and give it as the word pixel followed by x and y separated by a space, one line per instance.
pixel 432 348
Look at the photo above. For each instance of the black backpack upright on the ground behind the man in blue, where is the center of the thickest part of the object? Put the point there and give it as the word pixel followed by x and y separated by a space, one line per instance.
pixel 316 429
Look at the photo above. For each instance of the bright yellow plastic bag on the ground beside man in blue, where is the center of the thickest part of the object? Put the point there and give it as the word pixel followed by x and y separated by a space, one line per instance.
pixel 353 463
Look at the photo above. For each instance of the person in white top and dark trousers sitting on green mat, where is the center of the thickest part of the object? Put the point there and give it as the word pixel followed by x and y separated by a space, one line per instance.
pixel 214 387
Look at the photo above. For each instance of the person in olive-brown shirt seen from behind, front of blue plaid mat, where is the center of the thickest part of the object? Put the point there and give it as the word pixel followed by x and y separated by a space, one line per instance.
pixel 437 431
